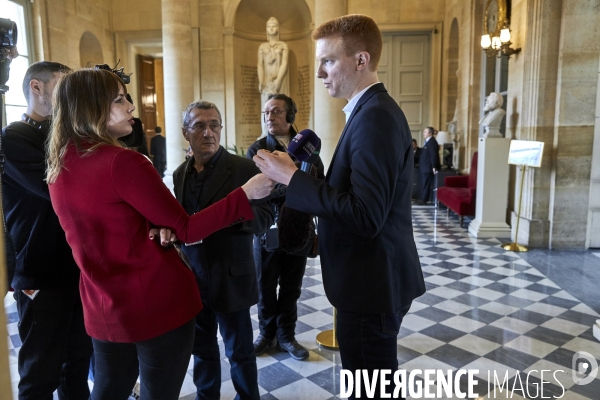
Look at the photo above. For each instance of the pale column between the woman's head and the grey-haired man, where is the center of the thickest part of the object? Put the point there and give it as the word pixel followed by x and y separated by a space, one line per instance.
pixel 178 75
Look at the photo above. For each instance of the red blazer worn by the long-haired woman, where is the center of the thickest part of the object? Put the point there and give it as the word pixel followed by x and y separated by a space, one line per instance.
pixel 132 289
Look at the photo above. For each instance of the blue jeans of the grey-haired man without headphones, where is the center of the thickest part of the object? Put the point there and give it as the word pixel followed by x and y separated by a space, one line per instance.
pixel 236 330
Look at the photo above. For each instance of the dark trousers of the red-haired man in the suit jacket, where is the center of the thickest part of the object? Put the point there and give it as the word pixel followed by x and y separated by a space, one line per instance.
pixel 369 341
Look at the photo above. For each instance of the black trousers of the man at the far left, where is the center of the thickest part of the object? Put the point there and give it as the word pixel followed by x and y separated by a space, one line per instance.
pixel 56 350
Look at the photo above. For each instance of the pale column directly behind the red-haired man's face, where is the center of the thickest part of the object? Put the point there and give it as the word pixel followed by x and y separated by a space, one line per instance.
pixel 329 117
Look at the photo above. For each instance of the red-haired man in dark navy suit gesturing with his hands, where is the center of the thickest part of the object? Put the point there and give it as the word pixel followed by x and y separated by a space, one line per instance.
pixel 369 260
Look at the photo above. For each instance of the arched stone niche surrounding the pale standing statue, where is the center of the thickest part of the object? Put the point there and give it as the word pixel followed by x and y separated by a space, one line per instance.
pixel 250 31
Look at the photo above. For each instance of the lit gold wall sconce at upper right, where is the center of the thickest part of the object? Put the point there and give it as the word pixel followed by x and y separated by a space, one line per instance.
pixel 496 37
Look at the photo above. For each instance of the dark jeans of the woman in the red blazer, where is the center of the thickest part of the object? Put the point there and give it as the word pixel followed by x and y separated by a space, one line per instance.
pixel 161 363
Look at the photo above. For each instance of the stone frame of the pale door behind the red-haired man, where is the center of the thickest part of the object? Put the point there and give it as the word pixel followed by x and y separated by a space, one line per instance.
pixel 435 57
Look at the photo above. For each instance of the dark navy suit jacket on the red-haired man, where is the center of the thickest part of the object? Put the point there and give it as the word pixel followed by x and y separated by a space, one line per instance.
pixel 368 255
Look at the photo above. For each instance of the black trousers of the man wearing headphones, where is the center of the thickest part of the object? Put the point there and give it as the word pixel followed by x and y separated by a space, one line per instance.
pixel 278 312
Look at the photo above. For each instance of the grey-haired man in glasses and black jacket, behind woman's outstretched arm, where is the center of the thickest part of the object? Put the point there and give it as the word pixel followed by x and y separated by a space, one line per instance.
pixel 223 262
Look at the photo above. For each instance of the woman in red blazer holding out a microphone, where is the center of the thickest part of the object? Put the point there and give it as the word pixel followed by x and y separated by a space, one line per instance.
pixel 139 298
